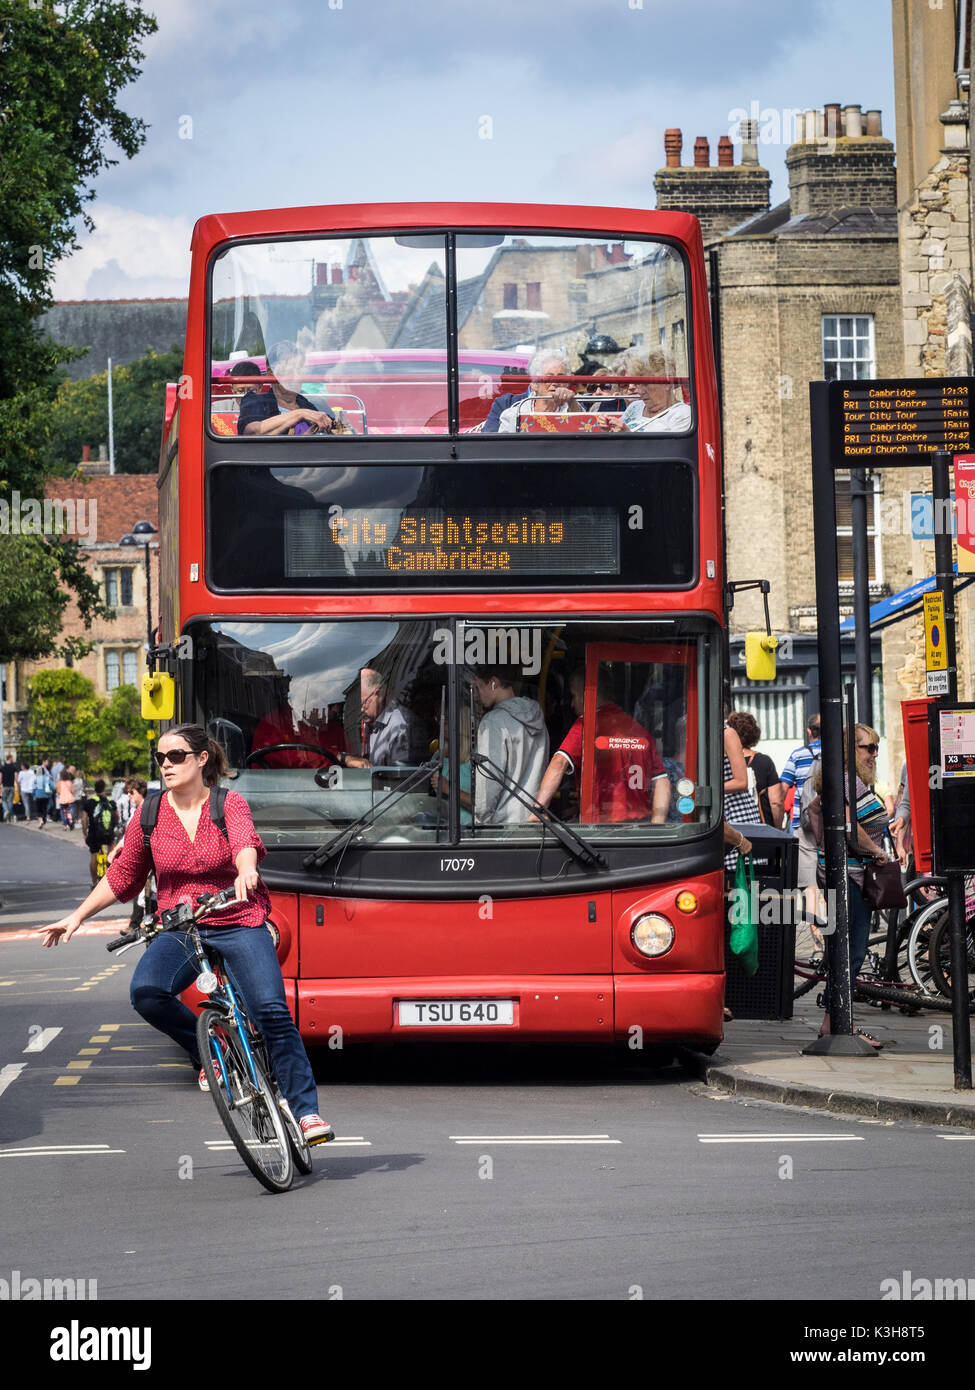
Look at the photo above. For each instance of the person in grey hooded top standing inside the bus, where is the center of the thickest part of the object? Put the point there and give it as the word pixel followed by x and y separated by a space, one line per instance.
pixel 514 737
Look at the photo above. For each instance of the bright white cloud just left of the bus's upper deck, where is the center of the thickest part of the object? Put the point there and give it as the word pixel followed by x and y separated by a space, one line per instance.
pixel 129 256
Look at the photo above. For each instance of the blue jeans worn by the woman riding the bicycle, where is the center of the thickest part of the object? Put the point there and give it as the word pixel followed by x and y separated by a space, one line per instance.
pixel 169 967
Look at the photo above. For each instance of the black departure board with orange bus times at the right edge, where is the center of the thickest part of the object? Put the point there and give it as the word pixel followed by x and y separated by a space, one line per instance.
pixel 903 418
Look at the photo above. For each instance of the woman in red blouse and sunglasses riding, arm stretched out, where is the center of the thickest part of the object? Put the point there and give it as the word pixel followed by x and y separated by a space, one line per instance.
pixel 193 857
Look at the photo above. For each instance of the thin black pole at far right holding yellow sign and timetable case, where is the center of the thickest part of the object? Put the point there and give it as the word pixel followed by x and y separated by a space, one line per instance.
pixel 962 1042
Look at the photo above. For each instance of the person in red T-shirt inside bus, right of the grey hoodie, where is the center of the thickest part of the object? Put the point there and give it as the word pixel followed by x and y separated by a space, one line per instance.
pixel 631 782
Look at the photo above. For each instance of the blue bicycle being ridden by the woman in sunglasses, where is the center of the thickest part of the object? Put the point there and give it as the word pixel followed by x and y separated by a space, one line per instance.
pixel 234 1056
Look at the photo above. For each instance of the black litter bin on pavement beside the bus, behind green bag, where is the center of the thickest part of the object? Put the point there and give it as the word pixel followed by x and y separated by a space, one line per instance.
pixel 768 995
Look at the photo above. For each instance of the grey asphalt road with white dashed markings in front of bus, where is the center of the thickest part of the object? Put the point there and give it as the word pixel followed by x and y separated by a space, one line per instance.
pixel 464 1174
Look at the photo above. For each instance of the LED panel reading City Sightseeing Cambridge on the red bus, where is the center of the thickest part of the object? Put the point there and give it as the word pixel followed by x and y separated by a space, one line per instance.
pixel 500 541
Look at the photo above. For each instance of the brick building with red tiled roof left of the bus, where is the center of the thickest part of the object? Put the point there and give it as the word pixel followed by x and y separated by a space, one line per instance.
pixel 105 508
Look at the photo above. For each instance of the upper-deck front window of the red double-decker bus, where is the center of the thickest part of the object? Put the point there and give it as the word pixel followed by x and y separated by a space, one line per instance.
pixel 350 336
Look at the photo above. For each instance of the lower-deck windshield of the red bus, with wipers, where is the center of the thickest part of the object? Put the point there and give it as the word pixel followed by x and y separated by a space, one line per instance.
pixel 607 722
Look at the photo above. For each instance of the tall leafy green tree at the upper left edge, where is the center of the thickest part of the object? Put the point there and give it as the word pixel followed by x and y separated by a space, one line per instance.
pixel 62 70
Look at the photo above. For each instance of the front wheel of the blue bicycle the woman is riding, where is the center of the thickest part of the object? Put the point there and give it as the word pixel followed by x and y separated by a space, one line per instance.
pixel 245 1102
